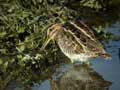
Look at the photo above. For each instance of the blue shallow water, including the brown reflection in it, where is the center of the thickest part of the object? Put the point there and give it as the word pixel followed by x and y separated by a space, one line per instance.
pixel 101 75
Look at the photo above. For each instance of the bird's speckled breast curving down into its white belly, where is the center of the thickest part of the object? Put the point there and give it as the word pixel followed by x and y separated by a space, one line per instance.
pixel 64 42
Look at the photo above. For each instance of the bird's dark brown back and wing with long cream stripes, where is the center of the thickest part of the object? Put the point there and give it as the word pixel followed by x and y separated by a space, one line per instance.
pixel 84 36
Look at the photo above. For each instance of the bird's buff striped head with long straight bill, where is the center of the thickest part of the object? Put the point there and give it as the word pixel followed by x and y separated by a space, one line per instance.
pixel 51 34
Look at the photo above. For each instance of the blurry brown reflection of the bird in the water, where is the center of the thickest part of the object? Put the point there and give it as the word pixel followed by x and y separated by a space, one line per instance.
pixel 81 77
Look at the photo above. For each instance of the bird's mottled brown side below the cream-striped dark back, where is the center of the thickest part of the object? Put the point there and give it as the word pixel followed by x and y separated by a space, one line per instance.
pixel 68 42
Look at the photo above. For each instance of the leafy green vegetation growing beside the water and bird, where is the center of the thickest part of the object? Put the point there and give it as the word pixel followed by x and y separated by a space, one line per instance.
pixel 23 27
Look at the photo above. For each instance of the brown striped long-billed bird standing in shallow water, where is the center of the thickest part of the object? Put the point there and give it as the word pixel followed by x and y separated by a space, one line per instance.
pixel 77 41
